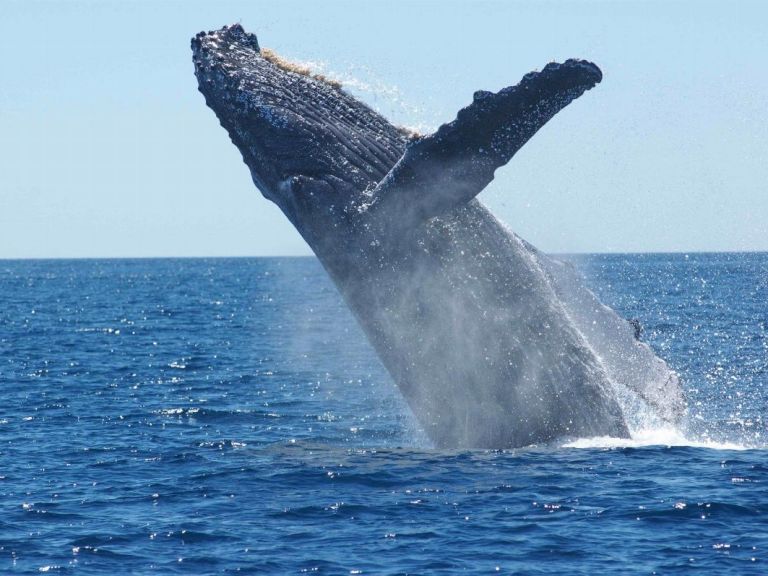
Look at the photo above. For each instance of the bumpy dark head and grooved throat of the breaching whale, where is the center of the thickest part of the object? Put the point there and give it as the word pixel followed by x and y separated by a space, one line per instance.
pixel 307 143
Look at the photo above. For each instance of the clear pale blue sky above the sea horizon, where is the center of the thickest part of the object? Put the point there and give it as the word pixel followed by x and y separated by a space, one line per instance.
pixel 108 150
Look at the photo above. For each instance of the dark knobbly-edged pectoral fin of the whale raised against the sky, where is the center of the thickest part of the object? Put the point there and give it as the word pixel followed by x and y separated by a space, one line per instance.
pixel 454 164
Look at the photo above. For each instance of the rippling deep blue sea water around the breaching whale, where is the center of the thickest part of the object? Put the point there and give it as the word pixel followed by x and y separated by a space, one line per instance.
pixel 210 416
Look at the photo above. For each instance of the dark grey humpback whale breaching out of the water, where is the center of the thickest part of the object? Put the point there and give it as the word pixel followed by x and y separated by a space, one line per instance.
pixel 493 344
